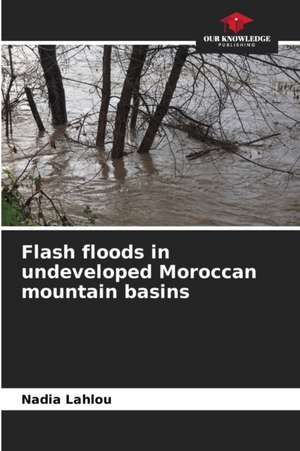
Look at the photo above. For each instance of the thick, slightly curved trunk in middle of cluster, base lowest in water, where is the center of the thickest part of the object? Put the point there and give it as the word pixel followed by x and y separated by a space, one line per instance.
pixel 134 71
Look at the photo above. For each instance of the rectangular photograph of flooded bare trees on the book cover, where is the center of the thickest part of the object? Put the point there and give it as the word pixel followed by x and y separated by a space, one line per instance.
pixel 149 135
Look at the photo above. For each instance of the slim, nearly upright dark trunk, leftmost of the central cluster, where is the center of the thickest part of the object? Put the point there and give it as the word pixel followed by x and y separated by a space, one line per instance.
pixel 106 91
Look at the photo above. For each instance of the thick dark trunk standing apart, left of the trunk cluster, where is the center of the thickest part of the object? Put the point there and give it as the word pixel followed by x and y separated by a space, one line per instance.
pixel 56 93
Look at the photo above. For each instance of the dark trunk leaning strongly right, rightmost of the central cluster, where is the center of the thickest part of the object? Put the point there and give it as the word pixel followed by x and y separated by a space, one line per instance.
pixel 164 104
